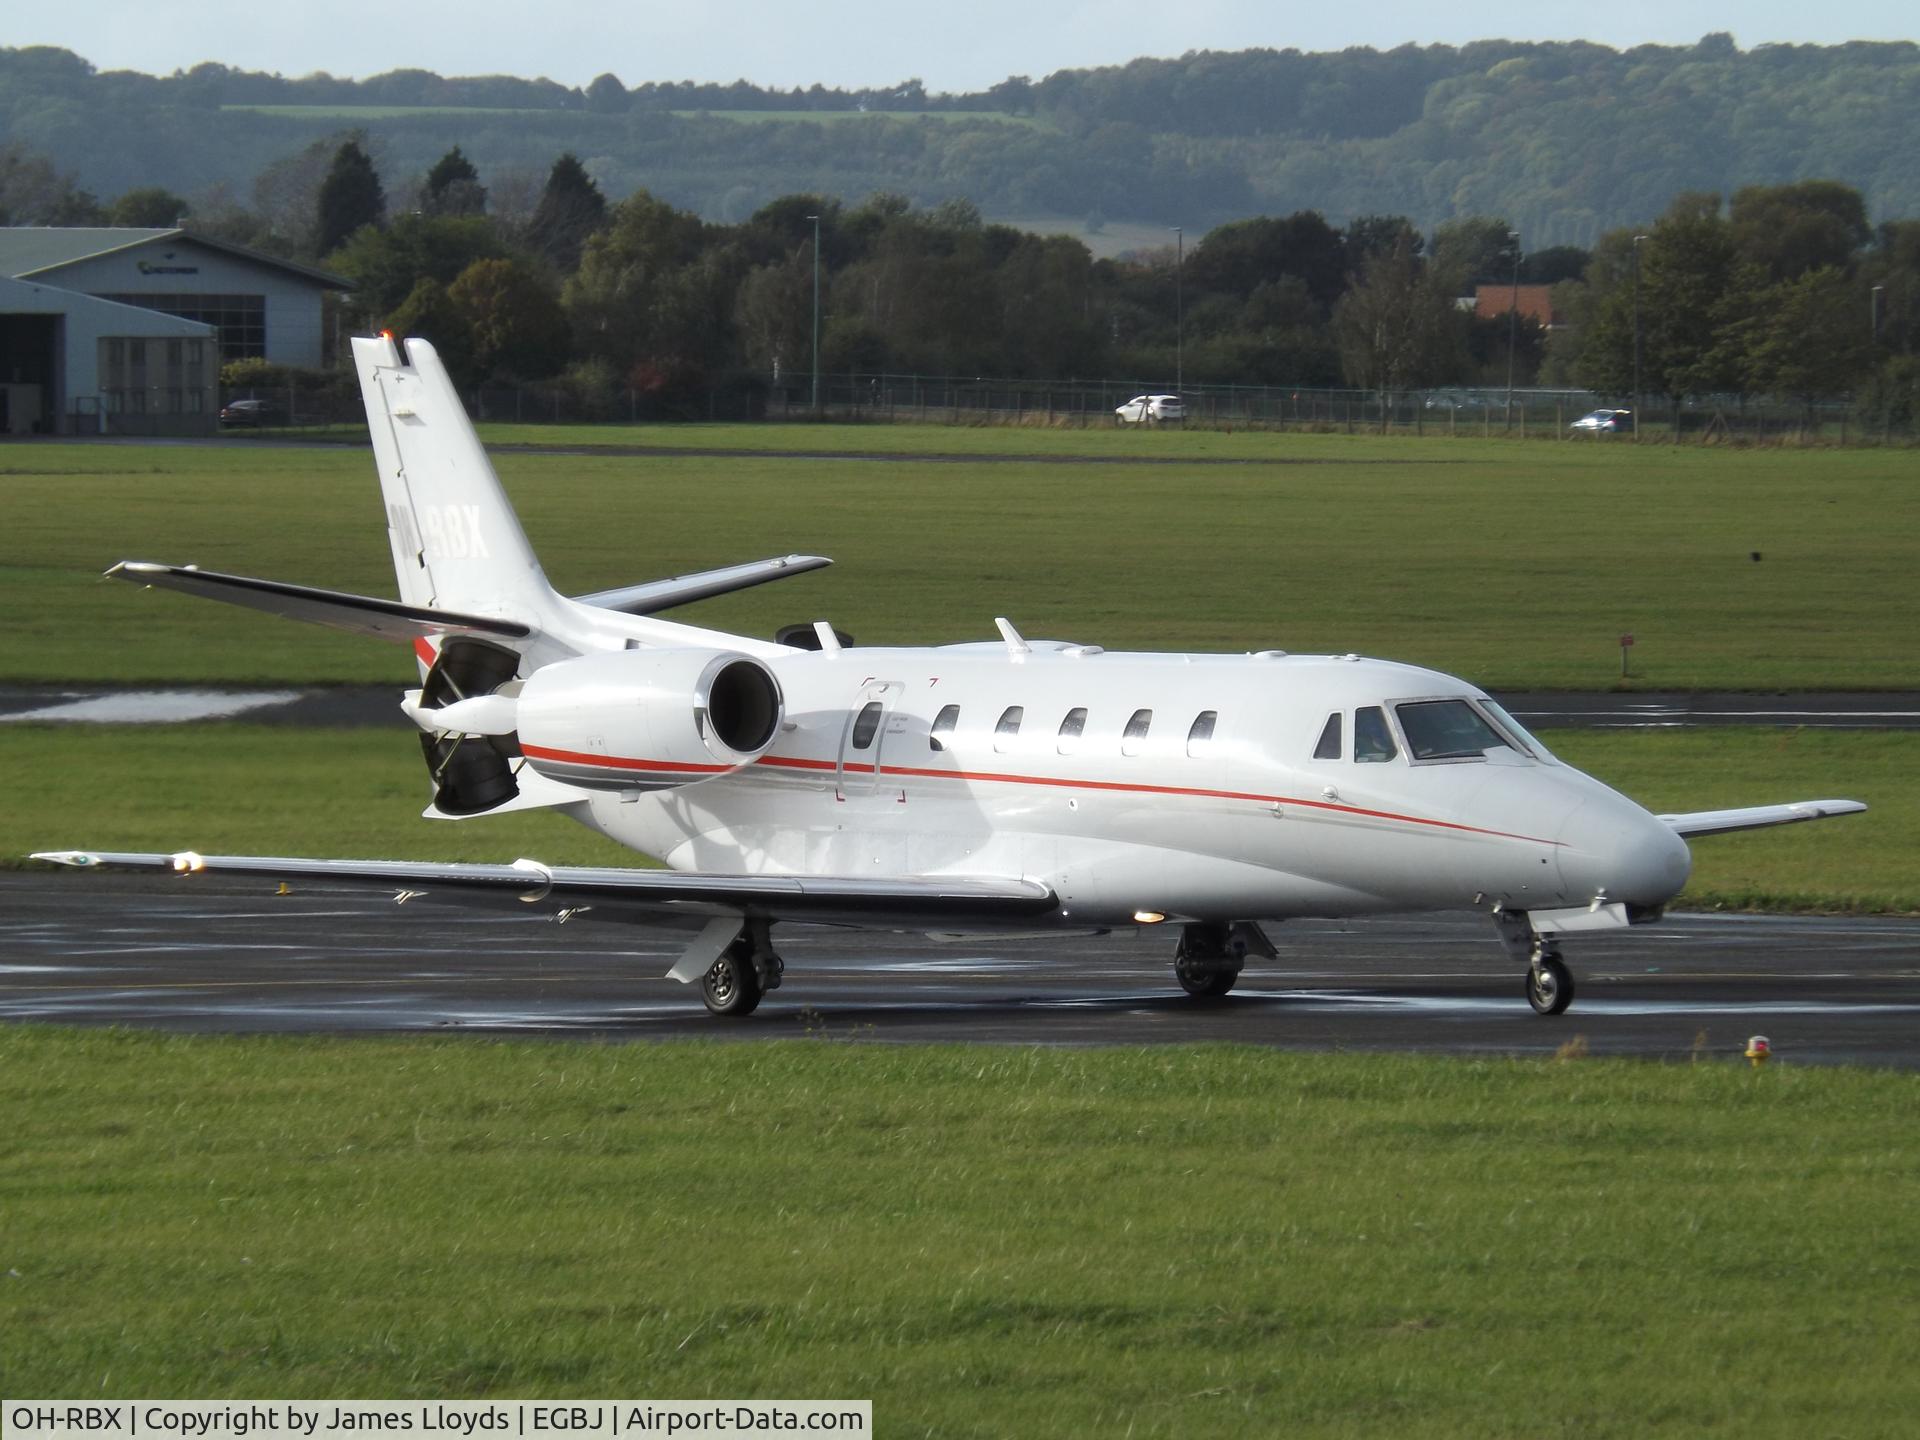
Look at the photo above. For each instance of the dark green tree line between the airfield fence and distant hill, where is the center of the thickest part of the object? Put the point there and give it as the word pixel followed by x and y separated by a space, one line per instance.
pixel 1779 291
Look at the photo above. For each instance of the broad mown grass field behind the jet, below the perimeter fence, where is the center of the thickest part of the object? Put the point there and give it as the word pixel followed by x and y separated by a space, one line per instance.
pixel 1516 565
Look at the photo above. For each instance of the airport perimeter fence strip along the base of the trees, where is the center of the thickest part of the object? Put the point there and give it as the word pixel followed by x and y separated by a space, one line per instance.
pixel 1093 404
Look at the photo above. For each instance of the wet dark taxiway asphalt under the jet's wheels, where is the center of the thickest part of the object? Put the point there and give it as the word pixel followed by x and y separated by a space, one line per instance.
pixel 229 955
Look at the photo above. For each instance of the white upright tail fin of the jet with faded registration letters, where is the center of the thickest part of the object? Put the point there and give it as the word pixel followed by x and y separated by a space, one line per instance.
pixel 456 540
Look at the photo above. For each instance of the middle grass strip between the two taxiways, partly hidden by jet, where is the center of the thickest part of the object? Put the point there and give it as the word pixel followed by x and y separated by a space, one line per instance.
pixel 277 790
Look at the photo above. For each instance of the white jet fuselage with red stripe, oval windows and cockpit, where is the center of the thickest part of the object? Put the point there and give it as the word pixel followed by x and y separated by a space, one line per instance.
pixel 1212 805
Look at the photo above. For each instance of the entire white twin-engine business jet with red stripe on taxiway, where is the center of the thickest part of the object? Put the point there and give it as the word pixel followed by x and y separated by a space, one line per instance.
pixel 1005 786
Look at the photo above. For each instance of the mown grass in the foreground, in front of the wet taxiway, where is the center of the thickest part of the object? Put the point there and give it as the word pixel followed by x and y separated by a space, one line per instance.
pixel 986 1243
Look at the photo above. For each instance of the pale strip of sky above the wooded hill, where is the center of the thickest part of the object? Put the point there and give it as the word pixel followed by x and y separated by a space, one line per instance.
pixel 863 43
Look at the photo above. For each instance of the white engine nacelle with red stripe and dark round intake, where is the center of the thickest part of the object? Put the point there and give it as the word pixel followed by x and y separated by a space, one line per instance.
pixel 648 719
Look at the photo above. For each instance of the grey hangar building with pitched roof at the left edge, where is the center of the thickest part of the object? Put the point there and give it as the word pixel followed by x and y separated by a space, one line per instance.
pixel 126 329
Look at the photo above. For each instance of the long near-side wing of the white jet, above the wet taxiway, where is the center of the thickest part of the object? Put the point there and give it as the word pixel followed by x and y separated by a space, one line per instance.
pixel 571 890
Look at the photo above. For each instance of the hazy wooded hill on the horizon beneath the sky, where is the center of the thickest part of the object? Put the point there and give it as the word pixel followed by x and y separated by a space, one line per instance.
pixel 1566 141
